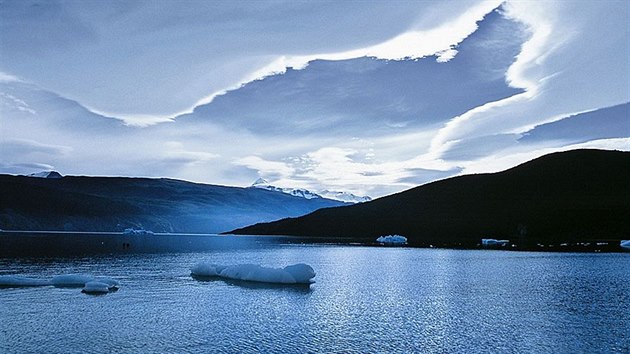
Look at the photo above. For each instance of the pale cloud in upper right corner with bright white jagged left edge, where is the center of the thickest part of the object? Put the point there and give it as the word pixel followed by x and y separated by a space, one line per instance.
pixel 573 62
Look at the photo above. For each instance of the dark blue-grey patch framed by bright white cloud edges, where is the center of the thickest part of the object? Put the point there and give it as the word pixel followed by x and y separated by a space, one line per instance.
pixel 368 97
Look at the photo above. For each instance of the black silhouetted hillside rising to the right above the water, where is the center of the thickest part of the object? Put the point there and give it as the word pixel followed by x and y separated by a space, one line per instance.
pixel 561 197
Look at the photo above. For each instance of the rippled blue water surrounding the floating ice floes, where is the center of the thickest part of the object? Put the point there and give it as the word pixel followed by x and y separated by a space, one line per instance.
pixel 366 299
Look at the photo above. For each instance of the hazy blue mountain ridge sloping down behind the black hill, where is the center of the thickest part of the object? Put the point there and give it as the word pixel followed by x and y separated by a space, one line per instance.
pixel 161 205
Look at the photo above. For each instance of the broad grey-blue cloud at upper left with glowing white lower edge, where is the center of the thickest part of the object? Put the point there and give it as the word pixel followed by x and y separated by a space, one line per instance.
pixel 106 57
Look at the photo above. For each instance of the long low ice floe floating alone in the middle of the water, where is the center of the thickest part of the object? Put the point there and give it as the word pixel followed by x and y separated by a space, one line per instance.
pixel 294 274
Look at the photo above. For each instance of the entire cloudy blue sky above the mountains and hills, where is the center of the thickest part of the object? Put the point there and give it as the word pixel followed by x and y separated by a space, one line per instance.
pixel 369 97
